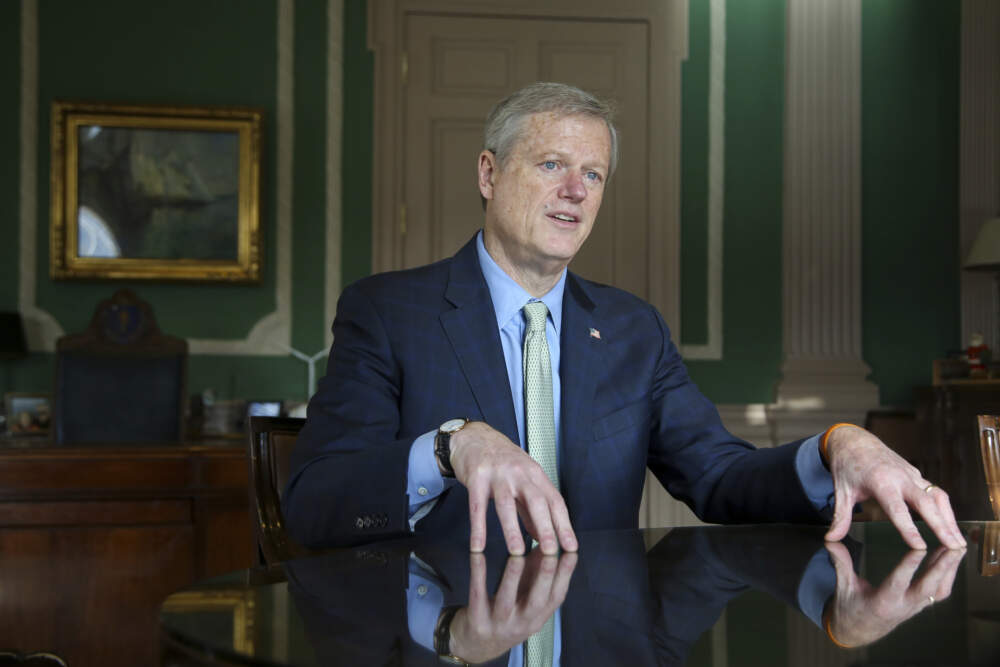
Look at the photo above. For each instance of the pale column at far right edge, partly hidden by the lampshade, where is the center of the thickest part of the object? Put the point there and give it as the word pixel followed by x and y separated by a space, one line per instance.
pixel 979 162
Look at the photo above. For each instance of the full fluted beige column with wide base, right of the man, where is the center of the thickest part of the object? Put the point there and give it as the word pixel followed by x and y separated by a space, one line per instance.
pixel 824 376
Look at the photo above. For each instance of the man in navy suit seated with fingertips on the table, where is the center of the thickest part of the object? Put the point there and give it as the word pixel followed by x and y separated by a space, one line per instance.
pixel 571 388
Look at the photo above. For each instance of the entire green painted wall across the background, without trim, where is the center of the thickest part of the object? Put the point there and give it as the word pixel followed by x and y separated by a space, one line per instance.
pixel 910 136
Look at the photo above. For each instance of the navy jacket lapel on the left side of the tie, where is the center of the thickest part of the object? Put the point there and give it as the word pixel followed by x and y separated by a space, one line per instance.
pixel 471 328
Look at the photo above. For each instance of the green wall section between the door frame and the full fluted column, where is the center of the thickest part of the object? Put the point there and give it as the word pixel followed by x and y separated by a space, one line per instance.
pixel 754 89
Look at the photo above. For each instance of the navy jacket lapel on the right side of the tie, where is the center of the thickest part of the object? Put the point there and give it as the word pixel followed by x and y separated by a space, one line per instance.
pixel 580 361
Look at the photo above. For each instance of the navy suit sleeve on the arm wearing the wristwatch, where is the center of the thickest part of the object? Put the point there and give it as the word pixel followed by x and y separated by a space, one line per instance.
pixel 348 470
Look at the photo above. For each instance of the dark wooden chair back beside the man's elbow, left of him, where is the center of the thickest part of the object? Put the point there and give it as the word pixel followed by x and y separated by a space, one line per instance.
pixel 270 448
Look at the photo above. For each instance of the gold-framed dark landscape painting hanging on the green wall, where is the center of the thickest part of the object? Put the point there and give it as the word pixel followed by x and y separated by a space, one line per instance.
pixel 155 193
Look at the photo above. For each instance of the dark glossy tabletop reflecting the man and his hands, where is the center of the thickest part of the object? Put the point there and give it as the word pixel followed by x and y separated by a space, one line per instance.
pixel 707 596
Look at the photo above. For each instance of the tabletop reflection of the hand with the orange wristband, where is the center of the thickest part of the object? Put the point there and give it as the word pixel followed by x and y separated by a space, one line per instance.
pixel 860 613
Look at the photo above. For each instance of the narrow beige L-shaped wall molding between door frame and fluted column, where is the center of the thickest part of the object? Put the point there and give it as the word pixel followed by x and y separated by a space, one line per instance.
pixel 712 349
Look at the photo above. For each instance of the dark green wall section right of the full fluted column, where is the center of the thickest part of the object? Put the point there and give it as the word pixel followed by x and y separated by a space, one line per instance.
pixel 910 153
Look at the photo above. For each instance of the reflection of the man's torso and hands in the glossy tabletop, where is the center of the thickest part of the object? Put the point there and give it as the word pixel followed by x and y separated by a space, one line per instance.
pixel 624 598
